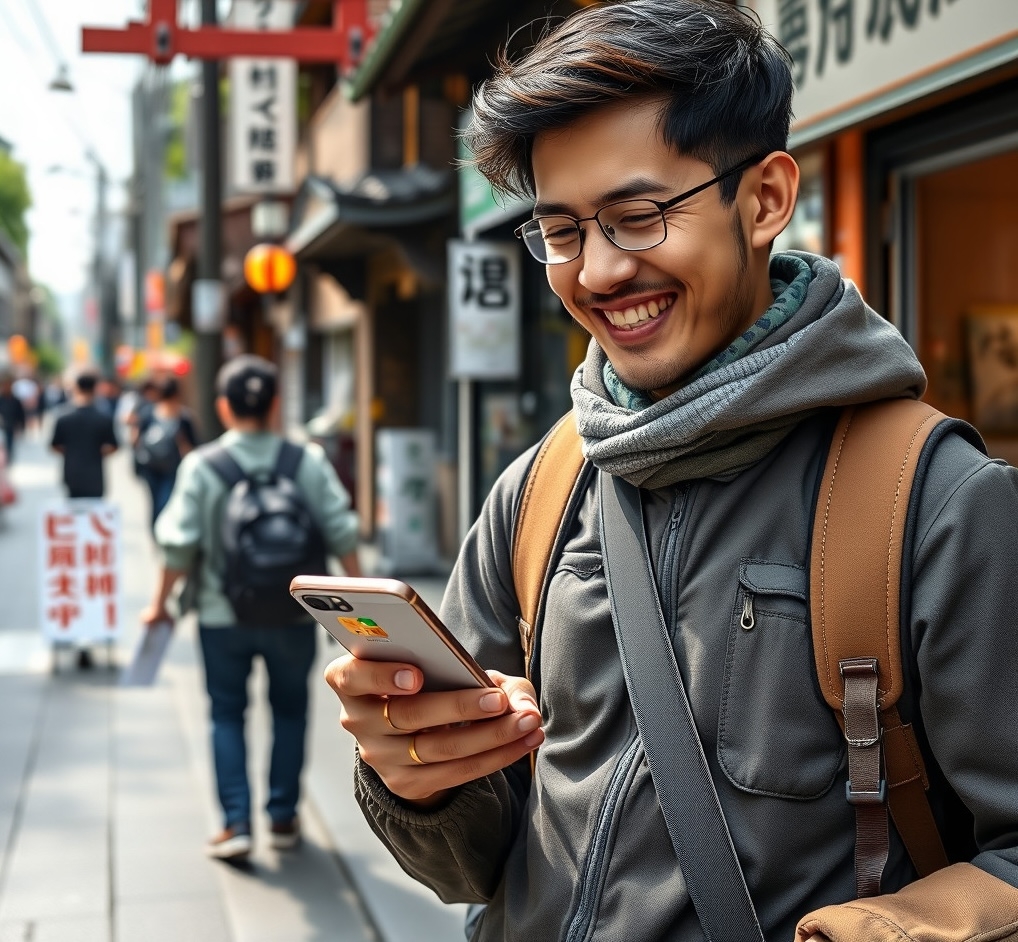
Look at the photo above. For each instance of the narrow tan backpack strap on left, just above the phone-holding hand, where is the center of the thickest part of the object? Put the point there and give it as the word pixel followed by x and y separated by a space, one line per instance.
pixel 546 496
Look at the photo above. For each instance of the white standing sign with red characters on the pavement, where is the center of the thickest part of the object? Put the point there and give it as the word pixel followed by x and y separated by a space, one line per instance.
pixel 80 567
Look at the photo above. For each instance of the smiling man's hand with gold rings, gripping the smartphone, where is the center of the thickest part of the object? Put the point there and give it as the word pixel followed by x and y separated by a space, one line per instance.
pixel 457 736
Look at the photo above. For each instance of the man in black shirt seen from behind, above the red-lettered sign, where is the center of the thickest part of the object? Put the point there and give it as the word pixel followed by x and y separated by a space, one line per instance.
pixel 84 436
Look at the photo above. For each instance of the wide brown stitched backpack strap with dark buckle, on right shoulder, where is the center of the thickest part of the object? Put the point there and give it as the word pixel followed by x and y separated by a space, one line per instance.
pixel 856 583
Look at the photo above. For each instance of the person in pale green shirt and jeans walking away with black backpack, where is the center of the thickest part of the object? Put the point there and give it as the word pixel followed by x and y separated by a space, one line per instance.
pixel 248 513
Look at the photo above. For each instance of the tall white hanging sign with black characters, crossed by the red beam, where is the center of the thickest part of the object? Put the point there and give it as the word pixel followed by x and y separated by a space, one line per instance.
pixel 263 105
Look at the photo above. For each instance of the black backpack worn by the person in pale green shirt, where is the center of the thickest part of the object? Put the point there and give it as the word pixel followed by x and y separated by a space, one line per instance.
pixel 268 536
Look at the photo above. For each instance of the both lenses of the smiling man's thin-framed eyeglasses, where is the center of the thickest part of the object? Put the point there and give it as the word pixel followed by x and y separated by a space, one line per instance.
pixel 634 226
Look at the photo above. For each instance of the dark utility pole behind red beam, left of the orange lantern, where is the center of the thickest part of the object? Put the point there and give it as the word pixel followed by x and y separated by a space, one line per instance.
pixel 207 301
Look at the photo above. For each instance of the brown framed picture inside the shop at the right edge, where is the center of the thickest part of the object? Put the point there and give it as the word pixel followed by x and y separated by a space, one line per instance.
pixel 993 359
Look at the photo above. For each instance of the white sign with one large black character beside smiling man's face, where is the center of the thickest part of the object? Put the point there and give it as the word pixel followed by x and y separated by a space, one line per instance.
pixel 484 310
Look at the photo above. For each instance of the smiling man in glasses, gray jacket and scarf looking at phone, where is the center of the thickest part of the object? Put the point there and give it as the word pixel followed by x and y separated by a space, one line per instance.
pixel 652 136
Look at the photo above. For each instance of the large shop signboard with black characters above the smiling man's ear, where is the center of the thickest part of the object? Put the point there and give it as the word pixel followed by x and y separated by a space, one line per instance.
pixel 849 53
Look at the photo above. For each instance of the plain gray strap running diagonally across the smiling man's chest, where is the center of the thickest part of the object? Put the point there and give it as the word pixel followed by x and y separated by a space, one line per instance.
pixel 682 777
